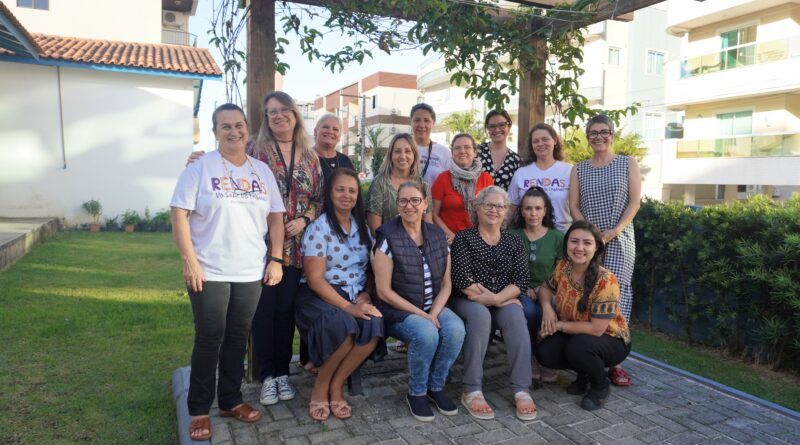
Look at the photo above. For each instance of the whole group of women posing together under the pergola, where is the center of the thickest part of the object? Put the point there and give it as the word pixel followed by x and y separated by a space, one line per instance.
pixel 426 258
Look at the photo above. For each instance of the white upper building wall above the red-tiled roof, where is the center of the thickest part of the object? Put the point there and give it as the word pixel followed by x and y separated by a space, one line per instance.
pixel 124 20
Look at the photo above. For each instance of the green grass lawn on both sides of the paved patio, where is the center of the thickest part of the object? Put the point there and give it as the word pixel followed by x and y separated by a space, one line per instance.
pixel 93 325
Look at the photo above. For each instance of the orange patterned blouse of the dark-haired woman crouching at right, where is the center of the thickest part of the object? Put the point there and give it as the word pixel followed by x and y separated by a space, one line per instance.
pixel 603 301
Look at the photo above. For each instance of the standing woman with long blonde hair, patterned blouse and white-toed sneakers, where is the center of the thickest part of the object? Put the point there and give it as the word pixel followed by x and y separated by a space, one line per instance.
pixel 283 145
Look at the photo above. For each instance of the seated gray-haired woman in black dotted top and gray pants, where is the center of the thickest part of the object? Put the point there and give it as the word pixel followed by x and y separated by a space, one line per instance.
pixel 490 272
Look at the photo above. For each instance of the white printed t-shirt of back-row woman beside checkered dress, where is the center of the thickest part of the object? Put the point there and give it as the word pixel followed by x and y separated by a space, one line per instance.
pixel 554 181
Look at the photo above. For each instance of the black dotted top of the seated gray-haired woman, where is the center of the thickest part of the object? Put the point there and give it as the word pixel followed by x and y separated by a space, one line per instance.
pixel 494 267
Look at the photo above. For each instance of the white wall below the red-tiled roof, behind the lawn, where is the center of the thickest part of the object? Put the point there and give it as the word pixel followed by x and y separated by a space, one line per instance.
pixel 126 140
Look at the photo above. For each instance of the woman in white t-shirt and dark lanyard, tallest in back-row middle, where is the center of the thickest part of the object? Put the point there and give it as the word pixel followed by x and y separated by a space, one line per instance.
pixel 433 158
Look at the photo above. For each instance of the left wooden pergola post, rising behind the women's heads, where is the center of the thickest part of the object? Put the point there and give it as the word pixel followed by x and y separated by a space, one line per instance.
pixel 260 59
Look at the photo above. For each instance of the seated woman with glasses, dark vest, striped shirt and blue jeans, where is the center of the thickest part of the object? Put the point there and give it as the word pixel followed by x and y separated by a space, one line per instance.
pixel 411 262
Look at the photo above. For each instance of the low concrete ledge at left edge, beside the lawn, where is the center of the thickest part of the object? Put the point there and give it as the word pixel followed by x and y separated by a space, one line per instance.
pixel 19 235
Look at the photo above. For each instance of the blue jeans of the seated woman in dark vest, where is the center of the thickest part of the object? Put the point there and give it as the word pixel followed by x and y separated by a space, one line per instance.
pixel 431 352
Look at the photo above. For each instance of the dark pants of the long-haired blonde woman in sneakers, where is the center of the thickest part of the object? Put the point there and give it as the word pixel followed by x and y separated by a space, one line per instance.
pixel 273 324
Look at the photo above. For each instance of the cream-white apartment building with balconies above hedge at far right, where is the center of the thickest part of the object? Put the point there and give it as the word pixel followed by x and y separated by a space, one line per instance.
pixel 737 86
